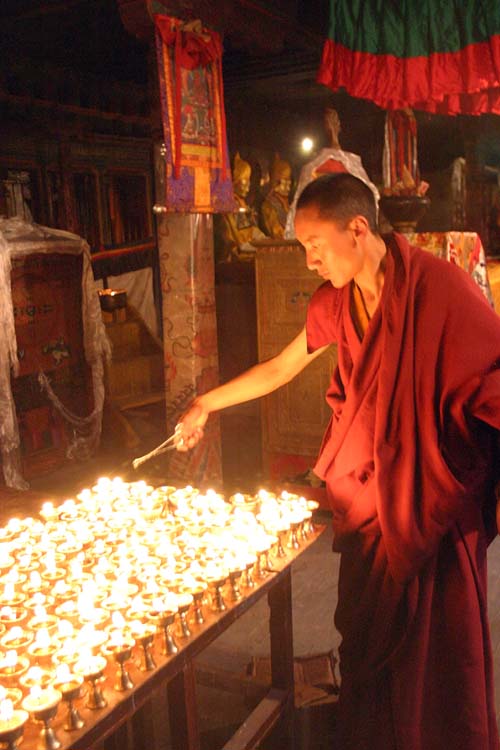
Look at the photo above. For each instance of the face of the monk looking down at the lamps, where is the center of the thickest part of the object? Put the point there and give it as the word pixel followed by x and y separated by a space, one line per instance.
pixel 331 248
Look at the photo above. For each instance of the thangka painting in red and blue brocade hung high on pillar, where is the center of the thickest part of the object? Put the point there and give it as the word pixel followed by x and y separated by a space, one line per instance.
pixel 198 176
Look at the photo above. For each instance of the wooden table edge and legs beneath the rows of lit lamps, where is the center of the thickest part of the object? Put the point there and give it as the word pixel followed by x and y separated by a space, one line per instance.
pixel 176 672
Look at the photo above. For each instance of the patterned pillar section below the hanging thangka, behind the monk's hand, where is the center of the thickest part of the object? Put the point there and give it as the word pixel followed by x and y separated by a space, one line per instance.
pixel 185 245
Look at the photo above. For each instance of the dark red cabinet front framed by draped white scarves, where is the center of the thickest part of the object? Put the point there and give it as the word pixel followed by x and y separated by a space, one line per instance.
pixel 46 295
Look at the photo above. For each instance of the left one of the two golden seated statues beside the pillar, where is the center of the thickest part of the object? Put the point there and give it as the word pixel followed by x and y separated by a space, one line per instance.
pixel 237 231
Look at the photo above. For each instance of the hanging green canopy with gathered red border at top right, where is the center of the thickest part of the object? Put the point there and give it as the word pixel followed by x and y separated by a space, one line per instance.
pixel 438 57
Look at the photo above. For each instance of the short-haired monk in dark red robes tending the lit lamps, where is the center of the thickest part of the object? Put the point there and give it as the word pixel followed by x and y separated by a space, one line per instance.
pixel 410 459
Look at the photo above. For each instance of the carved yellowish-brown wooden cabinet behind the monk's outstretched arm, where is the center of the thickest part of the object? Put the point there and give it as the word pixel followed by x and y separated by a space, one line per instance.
pixel 294 417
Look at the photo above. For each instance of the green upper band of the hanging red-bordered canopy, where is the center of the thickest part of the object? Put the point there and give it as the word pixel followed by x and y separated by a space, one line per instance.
pixel 409 28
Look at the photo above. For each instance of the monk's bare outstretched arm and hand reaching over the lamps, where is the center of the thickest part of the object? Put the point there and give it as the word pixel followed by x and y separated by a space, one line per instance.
pixel 257 381
